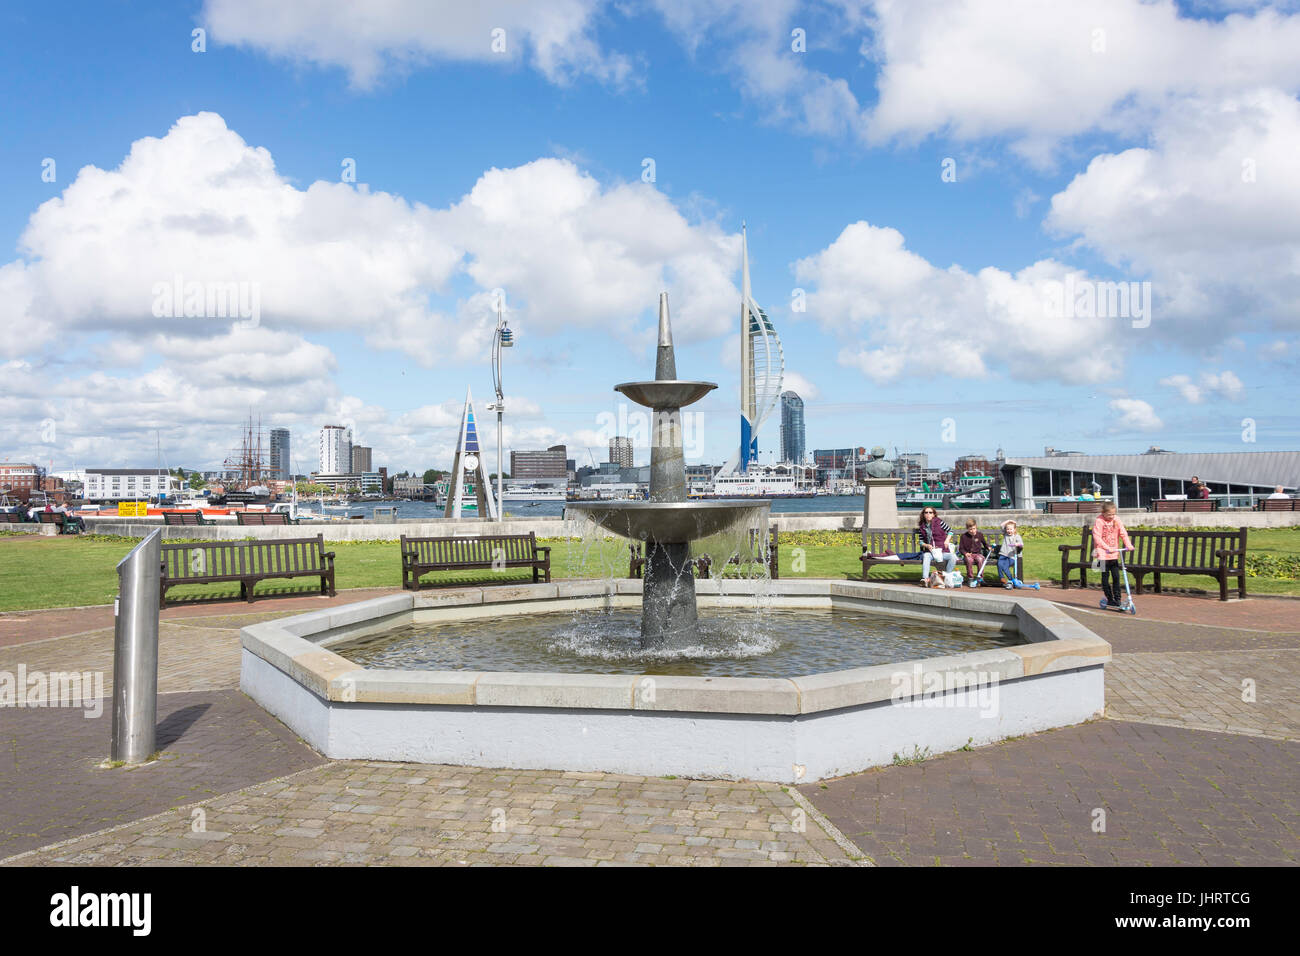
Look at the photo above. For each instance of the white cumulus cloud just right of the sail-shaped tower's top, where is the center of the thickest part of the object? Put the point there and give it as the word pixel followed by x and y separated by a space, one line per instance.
pixel 915 319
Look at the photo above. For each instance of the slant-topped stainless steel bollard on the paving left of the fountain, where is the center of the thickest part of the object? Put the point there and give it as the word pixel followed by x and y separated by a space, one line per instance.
pixel 136 652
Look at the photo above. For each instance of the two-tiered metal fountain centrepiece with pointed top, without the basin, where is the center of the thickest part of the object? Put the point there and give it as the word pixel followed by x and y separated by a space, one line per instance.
pixel 668 524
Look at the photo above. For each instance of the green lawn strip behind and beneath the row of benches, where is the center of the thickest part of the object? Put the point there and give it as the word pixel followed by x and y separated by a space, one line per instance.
pixel 40 572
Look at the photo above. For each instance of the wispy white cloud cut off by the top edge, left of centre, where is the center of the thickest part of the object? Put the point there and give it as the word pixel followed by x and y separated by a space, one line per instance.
pixel 370 40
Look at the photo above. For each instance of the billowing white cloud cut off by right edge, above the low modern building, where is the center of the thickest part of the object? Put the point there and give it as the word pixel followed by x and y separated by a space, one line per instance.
pixel 1211 213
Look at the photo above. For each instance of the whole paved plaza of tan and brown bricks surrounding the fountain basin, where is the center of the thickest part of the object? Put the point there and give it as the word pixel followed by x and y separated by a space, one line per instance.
pixel 1195 764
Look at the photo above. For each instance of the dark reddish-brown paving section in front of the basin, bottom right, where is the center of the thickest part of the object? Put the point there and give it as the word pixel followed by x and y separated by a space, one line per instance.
pixel 1172 797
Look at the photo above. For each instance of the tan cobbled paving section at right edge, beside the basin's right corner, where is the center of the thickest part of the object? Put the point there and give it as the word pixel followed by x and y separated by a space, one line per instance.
pixel 1206 690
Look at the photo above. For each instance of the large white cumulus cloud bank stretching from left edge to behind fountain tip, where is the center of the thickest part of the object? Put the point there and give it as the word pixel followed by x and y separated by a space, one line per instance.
pixel 201 207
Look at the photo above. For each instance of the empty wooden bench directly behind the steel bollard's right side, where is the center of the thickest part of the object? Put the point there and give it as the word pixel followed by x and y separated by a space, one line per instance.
pixel 246 563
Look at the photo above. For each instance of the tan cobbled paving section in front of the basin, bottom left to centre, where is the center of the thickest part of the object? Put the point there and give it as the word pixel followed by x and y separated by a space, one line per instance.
pixel 411 815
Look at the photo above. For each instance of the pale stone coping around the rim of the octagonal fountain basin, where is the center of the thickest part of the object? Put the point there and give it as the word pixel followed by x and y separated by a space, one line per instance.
pixel 1055 642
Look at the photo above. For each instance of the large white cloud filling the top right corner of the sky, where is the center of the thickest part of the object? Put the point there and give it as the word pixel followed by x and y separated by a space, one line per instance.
pixel 1032 70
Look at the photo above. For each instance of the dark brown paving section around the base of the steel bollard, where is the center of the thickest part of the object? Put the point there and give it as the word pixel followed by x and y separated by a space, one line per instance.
pixel 53 788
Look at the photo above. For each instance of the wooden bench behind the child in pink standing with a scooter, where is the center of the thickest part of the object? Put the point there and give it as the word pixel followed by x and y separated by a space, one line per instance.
pixel 1219 555
